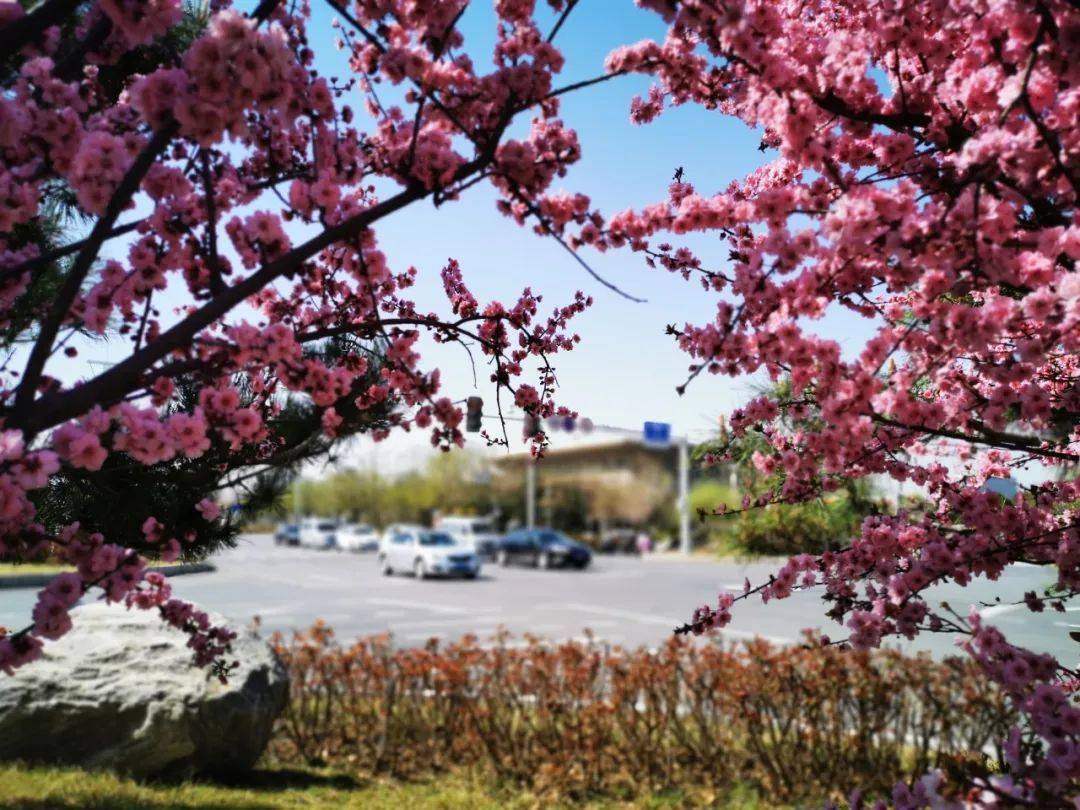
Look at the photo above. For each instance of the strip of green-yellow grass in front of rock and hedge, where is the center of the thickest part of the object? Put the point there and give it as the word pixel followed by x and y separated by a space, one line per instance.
pixel 37 789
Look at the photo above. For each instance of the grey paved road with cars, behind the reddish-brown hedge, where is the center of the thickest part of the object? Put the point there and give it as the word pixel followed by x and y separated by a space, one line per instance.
pixel 623 600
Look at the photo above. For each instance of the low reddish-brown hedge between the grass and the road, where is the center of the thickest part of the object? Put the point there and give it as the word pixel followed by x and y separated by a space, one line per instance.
pixel 587 720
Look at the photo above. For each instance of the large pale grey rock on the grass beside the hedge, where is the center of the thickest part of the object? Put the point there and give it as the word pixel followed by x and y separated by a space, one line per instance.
pixel 120 692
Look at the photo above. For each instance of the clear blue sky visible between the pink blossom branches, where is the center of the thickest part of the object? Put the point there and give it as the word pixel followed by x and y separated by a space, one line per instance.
pixel 626 370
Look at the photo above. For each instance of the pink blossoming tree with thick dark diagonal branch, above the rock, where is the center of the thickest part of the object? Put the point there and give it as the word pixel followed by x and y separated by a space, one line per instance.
pixel 188 159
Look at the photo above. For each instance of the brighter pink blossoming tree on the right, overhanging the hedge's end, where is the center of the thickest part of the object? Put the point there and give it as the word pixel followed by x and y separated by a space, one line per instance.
pixel 926 179
